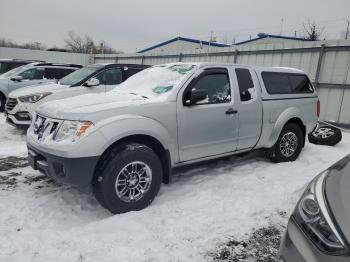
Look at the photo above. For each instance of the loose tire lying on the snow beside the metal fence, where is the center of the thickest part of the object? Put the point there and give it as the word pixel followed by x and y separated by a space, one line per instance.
pixel 325 135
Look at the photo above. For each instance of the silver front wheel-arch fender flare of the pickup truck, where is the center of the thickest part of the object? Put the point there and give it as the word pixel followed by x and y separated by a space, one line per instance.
pixel 128 125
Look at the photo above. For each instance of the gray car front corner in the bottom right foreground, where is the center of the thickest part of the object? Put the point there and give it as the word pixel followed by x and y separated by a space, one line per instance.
pixel 319 229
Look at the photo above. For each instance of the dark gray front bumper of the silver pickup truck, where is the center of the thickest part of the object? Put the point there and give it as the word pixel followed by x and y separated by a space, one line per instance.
pixel 74 171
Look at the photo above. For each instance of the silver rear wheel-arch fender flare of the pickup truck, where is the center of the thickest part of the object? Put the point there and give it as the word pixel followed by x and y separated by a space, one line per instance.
pixel 283 118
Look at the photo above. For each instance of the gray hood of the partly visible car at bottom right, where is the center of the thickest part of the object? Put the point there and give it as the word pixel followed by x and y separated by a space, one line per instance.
pixel 337 193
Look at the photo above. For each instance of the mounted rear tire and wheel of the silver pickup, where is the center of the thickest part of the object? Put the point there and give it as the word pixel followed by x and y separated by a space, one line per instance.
pixel 289 144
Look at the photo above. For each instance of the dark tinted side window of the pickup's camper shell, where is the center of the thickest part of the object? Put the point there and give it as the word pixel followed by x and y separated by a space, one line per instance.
pixel 282 83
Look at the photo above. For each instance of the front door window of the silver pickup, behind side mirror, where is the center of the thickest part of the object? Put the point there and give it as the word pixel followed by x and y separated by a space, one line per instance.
pixel 217 87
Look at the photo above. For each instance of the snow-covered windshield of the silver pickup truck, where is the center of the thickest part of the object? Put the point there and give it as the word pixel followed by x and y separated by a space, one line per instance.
pixel 157 81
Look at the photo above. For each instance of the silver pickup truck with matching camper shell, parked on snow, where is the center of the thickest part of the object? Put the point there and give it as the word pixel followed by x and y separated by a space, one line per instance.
pixel 125 142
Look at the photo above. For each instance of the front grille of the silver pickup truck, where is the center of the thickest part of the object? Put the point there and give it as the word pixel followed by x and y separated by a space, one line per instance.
pixel 43 127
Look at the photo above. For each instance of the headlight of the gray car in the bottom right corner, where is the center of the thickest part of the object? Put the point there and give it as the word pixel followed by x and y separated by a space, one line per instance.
pixel 313 217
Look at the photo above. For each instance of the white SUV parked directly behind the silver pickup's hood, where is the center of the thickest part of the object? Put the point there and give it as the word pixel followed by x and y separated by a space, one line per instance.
pixel 96 78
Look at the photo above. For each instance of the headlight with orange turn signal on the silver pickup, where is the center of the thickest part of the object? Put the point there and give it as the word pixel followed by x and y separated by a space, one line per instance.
pixel 72 130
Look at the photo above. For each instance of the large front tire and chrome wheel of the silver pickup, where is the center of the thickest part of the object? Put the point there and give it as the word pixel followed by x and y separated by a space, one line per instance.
pixel 123 165
